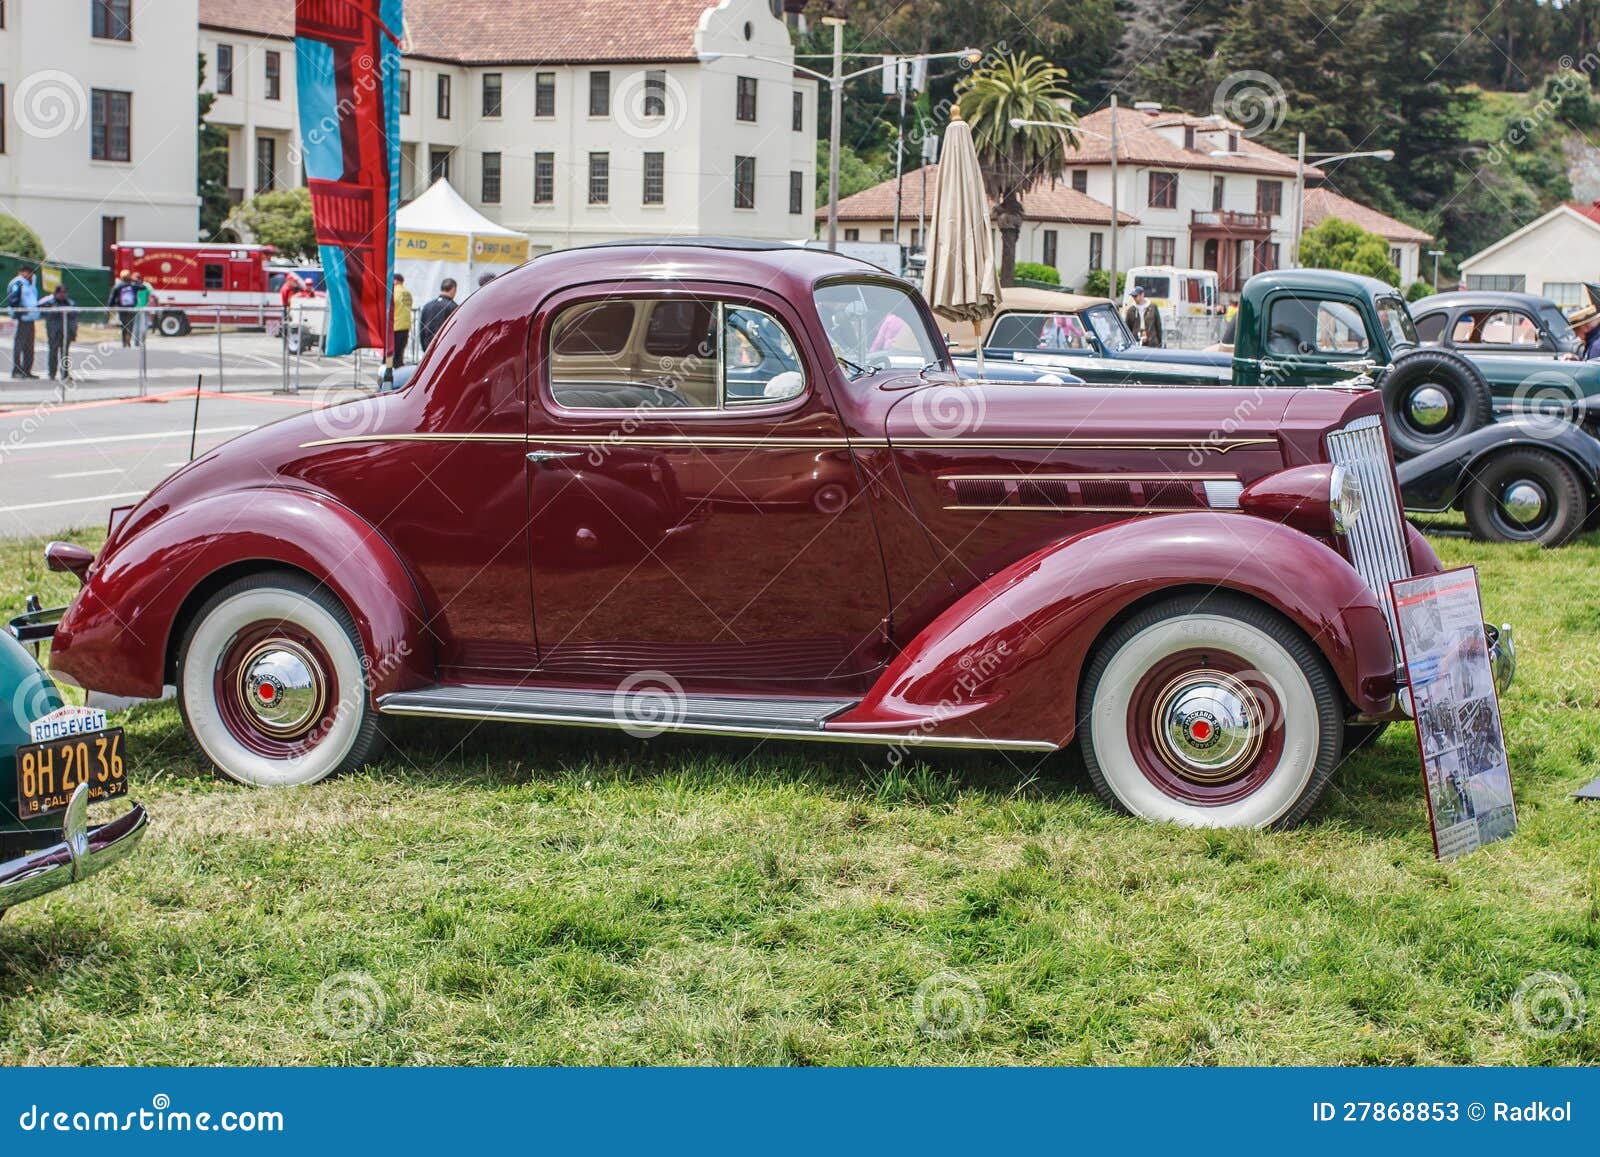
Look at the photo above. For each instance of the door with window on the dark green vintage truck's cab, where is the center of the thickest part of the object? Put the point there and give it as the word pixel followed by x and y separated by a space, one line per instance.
pixel 1314 340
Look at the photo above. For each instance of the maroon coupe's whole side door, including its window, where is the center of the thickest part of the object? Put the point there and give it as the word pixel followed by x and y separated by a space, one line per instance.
pixel 695 503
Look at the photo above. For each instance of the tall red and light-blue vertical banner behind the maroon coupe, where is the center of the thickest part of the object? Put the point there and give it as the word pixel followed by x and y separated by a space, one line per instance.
pixel 348 63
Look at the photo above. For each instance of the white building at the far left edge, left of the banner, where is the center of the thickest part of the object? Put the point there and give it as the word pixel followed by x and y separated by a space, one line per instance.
pixel 98 127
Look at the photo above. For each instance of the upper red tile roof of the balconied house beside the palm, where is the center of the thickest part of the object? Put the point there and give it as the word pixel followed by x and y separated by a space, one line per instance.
pixel 1140 142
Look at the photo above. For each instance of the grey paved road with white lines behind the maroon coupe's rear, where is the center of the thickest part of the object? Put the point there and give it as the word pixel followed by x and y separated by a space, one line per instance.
pixel 68 465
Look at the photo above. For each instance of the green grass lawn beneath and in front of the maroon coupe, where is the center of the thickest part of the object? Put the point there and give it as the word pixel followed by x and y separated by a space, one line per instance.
pixel 522 895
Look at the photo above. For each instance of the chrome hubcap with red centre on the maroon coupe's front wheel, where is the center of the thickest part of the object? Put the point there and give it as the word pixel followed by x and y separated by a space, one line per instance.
pixel 1209 727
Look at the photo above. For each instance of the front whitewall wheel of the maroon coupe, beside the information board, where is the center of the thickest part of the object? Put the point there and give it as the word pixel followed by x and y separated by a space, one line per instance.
pixel 1210 711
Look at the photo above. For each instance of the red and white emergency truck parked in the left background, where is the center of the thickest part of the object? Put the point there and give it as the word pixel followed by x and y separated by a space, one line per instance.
pixel 199 284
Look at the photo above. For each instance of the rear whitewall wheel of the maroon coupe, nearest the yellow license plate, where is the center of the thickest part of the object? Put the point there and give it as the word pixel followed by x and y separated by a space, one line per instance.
pixel 273 683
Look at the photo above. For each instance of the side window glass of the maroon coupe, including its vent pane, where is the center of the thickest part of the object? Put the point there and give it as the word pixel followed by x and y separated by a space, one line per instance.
pixel 671 354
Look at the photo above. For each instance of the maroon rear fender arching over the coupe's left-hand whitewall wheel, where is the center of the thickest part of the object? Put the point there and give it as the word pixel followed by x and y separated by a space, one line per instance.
pixel 122 630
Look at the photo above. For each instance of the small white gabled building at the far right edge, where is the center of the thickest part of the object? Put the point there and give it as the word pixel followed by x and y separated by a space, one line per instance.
pixel 1553 257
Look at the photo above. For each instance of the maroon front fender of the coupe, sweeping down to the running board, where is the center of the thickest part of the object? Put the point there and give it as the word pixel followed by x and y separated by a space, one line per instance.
pixel 1004 662
